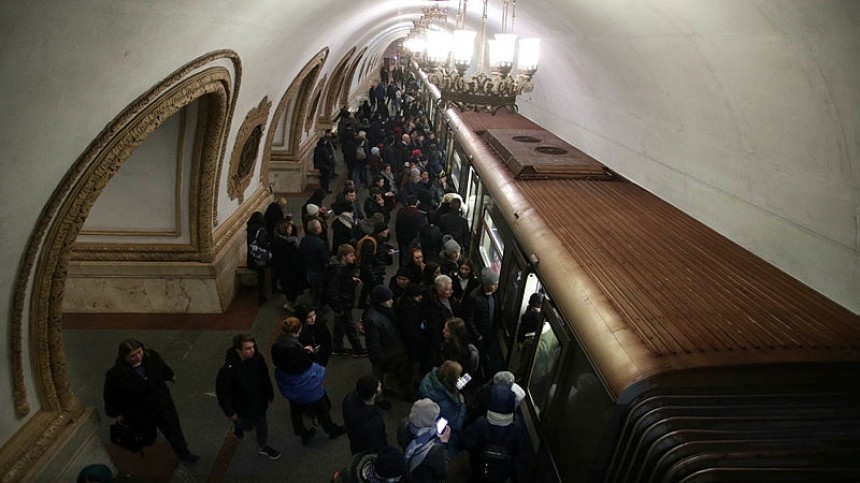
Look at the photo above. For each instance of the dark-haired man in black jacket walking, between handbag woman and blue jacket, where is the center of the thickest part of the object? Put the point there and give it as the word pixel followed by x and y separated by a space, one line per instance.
pixel 244 391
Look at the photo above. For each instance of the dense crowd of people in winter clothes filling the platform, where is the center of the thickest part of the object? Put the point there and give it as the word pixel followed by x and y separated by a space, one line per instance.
pixel 427 329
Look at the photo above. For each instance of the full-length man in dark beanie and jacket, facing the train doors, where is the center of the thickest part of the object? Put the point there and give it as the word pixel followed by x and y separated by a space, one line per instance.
pixel 384 344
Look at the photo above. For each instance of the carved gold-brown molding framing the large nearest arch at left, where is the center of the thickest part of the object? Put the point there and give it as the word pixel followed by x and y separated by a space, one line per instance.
pixel 42 271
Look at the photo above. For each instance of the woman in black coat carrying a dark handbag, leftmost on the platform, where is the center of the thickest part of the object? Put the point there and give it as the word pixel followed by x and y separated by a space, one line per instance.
pixel 136 394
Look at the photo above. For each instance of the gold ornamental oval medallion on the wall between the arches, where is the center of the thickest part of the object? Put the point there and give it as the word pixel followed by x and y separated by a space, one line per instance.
pixel 247 150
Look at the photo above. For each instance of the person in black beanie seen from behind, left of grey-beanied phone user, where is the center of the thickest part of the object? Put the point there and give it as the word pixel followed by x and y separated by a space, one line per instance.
pixel 364 424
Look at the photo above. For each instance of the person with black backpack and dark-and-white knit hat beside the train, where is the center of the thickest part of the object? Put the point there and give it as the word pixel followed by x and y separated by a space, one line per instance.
pixel 495 441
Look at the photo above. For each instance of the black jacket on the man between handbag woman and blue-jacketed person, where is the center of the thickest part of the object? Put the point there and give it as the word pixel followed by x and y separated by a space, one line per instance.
pixel 244 387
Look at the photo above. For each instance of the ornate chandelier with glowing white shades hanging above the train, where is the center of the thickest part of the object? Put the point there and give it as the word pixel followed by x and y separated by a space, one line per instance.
pixel 446 56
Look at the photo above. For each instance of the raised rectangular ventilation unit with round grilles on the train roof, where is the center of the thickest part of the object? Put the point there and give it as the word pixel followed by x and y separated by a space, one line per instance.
pixel 539 154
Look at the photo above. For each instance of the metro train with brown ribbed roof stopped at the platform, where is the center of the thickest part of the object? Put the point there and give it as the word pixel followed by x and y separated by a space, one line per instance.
pixel 667 353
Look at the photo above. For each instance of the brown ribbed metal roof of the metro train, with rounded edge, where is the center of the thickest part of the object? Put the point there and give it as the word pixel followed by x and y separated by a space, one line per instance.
pixel 649 289
